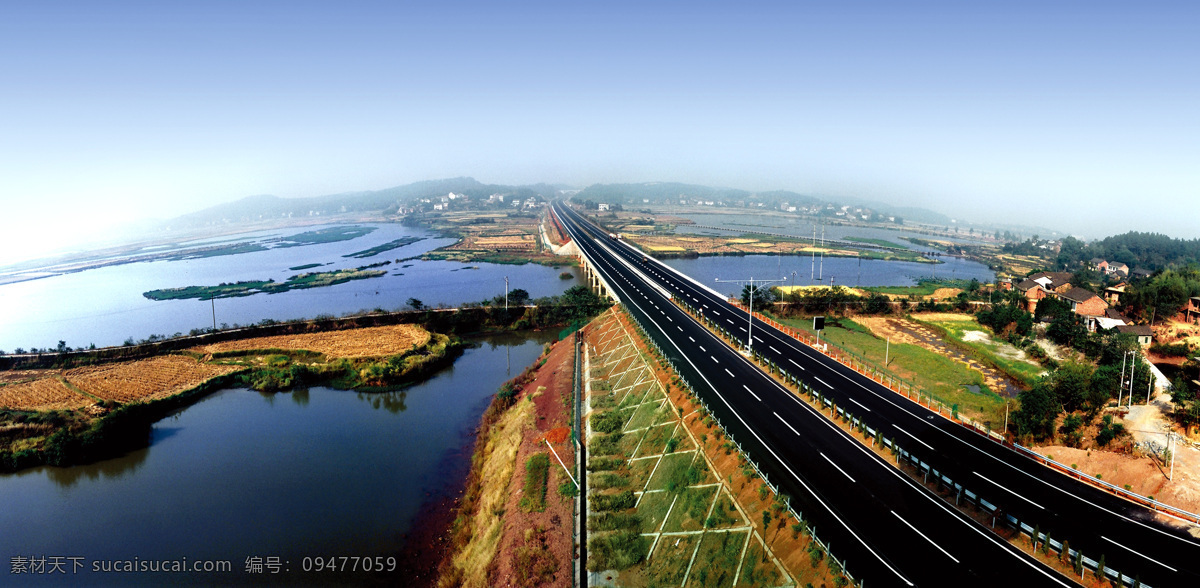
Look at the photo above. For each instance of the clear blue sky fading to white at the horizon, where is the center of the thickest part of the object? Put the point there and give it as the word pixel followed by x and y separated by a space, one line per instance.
pixel 1083 117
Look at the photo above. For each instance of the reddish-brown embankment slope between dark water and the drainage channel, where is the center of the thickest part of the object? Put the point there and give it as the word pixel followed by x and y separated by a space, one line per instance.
pixel 514 524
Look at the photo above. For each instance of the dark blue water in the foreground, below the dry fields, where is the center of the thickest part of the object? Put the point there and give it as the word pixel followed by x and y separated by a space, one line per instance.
pixel 242 475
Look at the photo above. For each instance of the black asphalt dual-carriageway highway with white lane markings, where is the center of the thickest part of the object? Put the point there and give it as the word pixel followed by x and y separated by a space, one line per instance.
pixel 889 530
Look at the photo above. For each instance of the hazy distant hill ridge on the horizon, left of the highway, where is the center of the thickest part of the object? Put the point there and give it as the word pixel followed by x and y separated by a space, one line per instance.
pixel 255 208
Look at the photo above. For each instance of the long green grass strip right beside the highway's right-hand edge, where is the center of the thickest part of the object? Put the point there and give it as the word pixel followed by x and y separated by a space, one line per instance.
pixel 933 374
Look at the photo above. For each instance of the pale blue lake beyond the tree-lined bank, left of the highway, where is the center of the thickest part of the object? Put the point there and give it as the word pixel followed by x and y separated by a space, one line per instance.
pixel 105 307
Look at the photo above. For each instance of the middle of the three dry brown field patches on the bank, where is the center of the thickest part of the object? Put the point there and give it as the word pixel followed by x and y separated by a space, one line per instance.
pixel 146 380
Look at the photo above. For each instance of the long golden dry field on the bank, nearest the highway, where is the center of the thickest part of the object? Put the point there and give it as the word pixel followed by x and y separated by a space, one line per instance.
pixel 370 343
